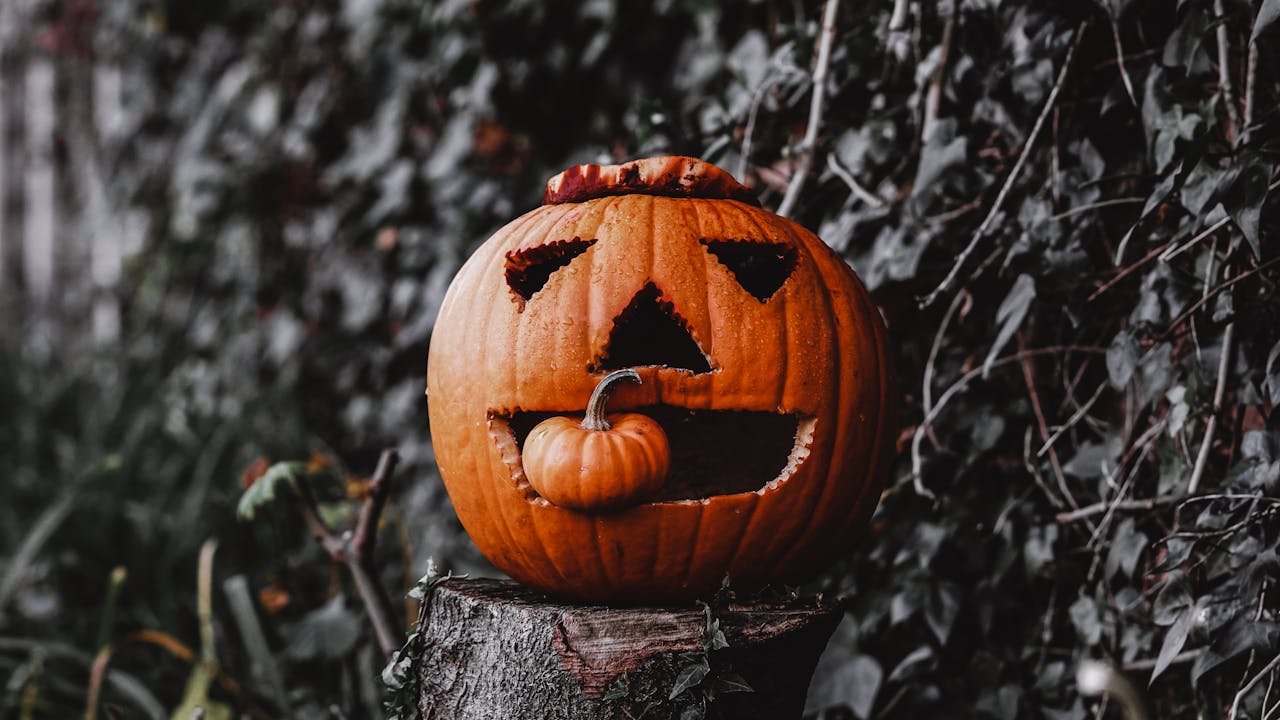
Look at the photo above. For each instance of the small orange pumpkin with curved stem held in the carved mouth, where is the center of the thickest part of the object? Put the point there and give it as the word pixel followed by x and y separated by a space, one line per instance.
pixel 602 463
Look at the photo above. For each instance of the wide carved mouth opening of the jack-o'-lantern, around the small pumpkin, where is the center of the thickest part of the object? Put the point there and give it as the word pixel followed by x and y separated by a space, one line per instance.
pixel 712 452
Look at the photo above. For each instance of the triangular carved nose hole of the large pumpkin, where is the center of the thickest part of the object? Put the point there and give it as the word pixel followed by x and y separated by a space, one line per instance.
pixel 651 332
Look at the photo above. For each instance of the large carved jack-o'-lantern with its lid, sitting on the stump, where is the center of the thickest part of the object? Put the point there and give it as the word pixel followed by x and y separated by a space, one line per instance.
pixel 761 356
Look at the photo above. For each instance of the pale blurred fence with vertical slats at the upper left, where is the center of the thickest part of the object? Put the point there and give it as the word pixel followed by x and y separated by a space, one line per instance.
pixel 62 241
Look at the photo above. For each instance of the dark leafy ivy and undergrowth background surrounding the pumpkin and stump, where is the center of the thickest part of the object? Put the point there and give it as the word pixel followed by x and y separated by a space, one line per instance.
pixel 226 230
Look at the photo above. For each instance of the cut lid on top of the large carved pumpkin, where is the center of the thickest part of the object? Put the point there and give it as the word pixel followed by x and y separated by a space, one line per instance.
pixel 671 176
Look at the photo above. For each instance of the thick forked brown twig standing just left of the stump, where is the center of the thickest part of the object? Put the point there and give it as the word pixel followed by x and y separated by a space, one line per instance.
pixel 355 550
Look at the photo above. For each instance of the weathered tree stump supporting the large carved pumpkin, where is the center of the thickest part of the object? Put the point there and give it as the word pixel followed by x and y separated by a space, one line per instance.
pixel 493 649
